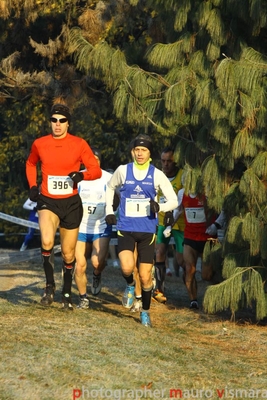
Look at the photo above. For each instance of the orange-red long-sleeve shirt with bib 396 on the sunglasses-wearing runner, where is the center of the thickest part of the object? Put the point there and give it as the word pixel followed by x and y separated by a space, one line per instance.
pixel 58 158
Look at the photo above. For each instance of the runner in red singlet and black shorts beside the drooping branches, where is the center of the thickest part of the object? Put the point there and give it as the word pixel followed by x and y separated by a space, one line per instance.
pixel 195 238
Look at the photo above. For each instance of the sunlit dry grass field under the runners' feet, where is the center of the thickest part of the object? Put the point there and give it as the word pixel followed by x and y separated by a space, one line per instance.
pixel 105 353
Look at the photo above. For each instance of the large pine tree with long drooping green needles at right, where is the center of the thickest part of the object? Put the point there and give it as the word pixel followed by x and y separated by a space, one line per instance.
pixel 204 87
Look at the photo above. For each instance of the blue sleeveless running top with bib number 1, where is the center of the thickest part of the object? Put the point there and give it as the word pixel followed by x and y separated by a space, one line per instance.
pixel 134 209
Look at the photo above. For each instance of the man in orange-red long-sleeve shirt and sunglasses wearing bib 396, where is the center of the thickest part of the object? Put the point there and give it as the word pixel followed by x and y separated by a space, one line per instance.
pixel 60 156
